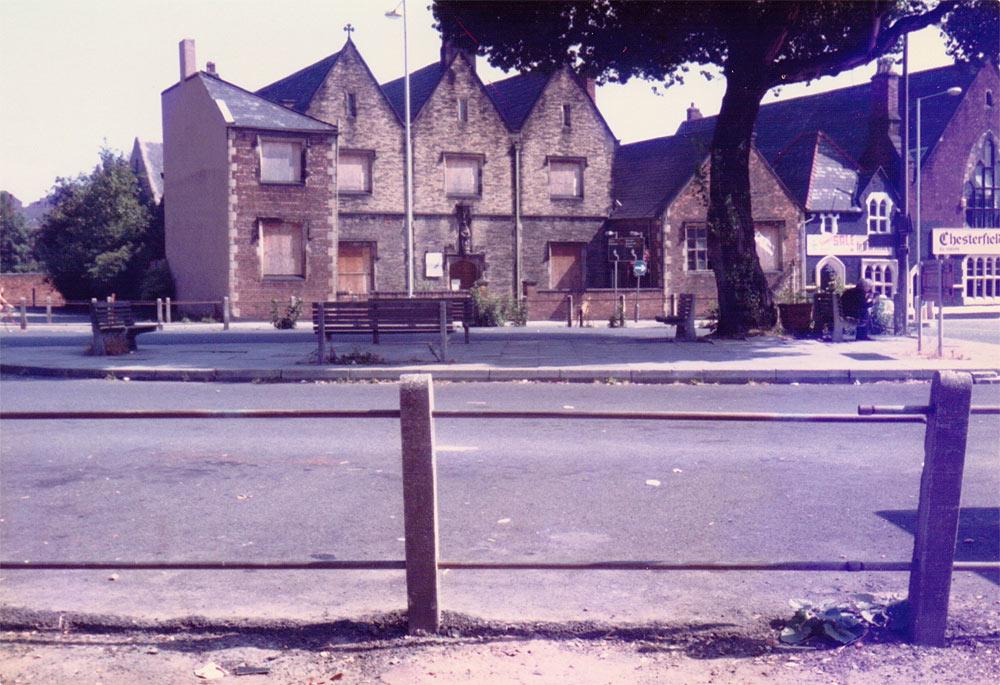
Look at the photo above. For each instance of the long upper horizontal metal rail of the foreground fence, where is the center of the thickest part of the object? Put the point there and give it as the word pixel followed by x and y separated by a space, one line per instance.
pixel 750 417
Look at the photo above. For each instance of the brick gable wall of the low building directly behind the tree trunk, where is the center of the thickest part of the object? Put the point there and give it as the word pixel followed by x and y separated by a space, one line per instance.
pixel 771 204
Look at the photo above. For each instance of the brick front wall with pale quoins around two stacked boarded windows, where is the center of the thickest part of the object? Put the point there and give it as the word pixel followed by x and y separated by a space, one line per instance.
pixel 311 204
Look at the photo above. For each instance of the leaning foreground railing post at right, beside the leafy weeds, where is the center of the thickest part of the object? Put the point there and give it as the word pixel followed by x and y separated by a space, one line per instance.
pixel 939 506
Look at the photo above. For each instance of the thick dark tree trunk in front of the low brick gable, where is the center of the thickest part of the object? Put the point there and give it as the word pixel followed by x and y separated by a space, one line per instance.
pixel 745 301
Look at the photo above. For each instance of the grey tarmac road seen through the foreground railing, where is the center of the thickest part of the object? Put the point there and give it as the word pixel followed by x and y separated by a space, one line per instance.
pixel 509 490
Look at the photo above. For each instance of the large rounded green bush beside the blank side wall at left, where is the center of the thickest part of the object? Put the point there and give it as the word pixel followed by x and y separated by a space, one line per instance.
pixel 100 237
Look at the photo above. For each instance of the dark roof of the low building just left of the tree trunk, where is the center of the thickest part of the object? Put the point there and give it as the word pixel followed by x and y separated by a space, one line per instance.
pixel 649 174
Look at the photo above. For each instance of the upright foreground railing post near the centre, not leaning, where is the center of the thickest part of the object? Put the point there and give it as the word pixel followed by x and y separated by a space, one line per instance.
pixel 416 407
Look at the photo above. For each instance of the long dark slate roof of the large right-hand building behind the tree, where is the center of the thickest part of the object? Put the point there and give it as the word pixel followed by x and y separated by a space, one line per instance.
pixel 842 114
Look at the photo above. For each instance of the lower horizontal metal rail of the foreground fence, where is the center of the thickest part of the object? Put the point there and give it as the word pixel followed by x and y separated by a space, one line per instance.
pixel 398 565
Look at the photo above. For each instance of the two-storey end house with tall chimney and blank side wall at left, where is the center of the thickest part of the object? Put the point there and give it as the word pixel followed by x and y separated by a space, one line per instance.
pixel 251 212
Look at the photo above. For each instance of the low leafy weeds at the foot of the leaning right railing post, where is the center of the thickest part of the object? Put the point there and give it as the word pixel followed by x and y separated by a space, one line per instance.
pixel 840 623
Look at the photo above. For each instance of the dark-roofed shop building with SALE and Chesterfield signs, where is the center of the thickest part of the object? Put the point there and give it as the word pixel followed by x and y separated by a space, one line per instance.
pixel 840 153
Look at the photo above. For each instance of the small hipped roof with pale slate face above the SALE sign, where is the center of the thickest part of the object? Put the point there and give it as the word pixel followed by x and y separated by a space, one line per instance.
pixel 818 174
